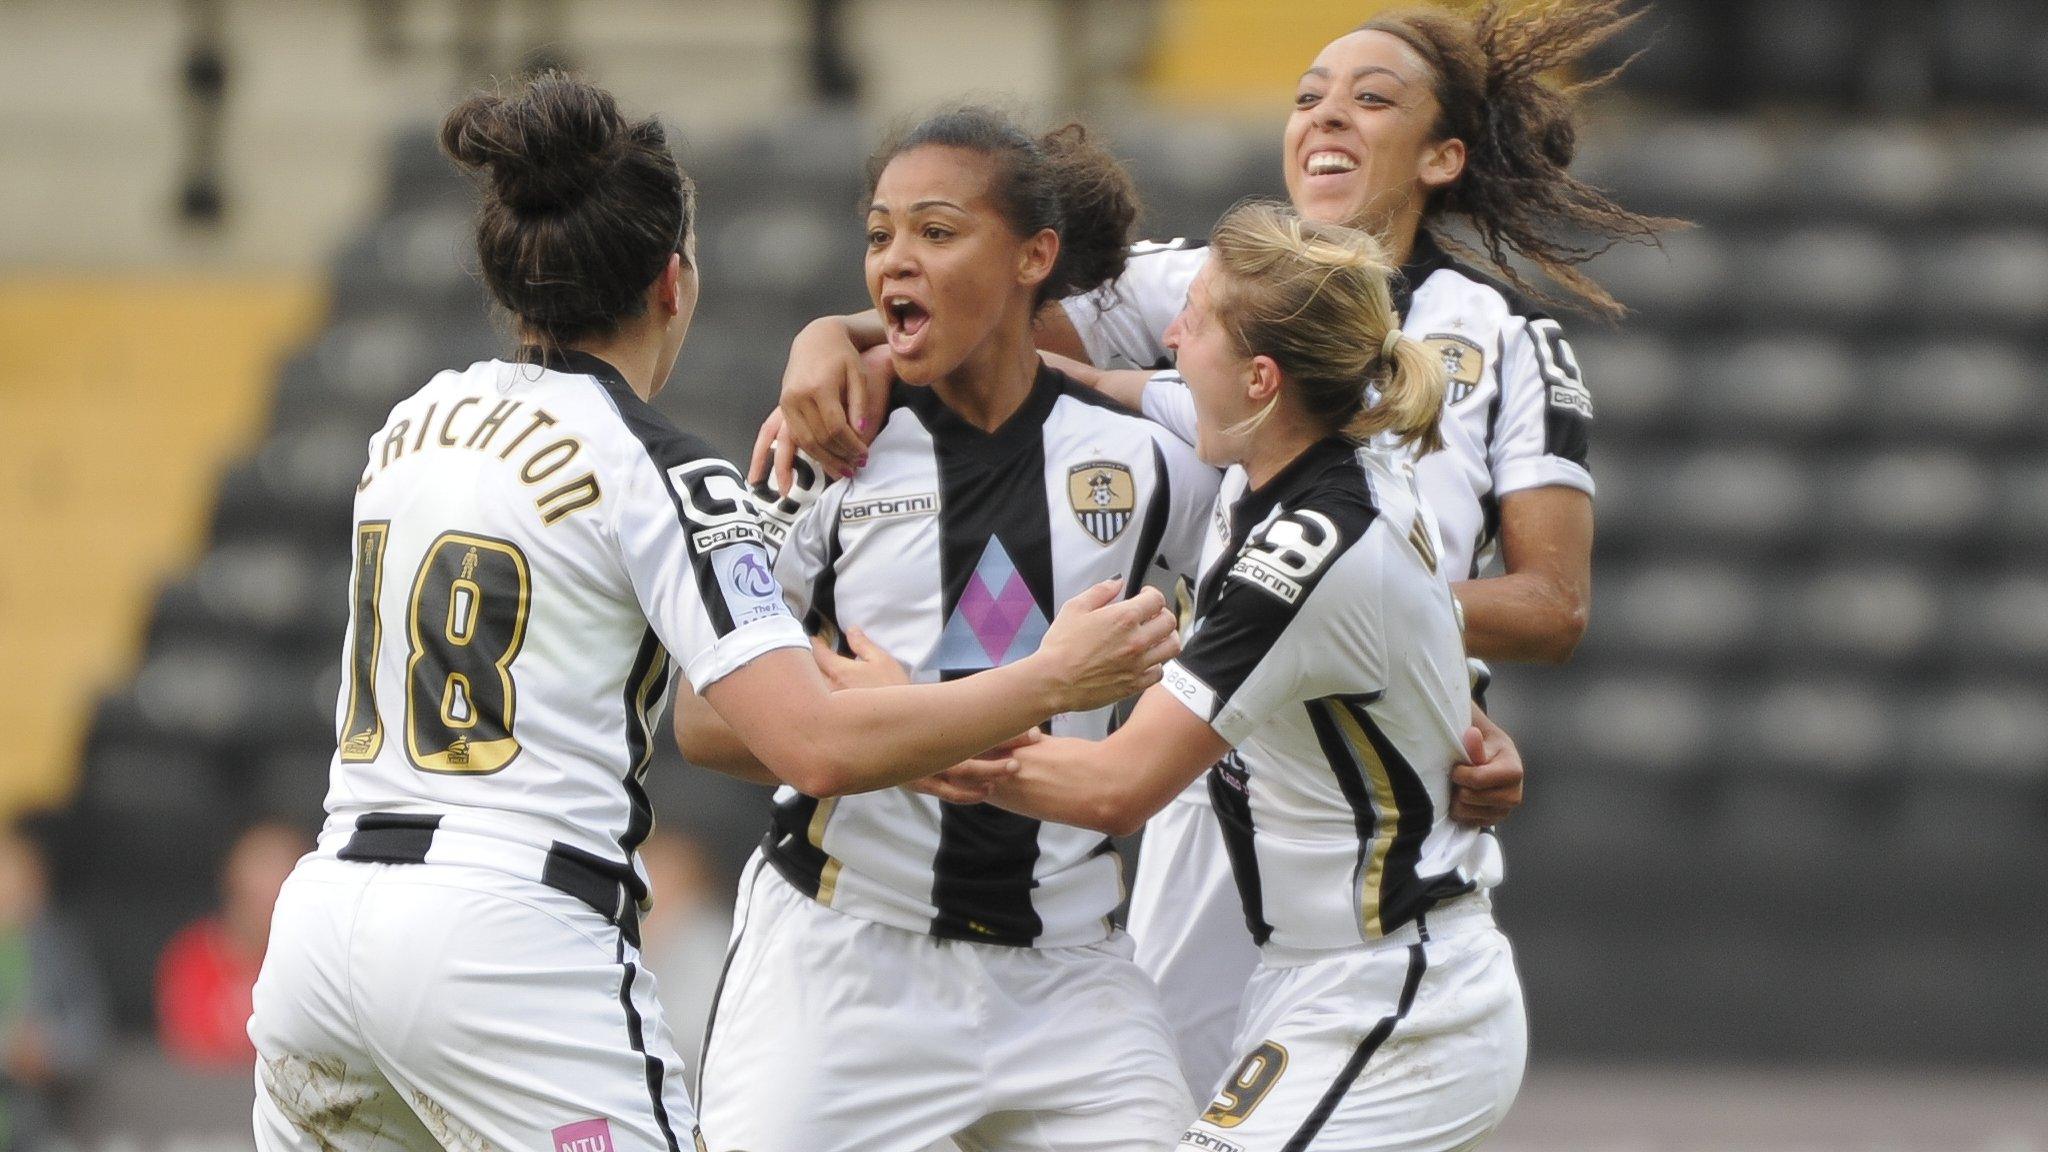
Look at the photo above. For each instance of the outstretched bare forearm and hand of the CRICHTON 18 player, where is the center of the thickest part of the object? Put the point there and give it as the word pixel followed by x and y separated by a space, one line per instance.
pixel 824 743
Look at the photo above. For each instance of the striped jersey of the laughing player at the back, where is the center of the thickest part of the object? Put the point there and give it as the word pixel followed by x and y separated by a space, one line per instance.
pixel 1517 411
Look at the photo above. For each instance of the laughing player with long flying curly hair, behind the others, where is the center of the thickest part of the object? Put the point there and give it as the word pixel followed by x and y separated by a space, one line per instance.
pixel 1416 122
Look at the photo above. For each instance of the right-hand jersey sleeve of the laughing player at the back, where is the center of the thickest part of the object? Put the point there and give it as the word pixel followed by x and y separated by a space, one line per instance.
pixel 1547 413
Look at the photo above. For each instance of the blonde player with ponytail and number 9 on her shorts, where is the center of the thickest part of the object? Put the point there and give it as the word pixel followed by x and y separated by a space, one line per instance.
pixel 1324 677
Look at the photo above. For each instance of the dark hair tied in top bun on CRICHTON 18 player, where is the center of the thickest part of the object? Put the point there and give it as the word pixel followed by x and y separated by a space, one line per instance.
pixel 583 208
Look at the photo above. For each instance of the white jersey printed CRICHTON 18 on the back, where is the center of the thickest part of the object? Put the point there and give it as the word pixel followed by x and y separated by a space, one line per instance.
pixel 534 546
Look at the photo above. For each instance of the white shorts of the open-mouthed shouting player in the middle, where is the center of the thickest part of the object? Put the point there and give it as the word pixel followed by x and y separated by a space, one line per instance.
pixel 837 1034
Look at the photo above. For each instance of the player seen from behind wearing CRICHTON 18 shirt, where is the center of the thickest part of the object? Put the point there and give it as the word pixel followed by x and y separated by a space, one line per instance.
pixel 456 966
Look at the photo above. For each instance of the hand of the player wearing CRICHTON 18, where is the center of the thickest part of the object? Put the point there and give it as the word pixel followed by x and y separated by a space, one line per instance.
pixel 1103 651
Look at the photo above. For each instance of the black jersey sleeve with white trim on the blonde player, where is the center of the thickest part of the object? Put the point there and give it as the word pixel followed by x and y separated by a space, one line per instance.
pixel 1295 620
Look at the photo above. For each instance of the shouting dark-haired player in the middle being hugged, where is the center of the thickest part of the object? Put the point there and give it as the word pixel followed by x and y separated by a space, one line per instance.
pixel 904 969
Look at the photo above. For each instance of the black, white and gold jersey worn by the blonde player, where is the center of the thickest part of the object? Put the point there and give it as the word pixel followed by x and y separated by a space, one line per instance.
pixel 1326 651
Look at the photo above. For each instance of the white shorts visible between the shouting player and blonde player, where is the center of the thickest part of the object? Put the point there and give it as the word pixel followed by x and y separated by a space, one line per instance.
pixel 1191 936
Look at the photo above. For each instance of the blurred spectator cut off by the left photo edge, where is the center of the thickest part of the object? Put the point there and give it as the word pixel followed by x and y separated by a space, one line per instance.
pixel 52 1010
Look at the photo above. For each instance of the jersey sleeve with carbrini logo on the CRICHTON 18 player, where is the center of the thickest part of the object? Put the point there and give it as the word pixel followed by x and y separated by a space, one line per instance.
pixel 693 548
